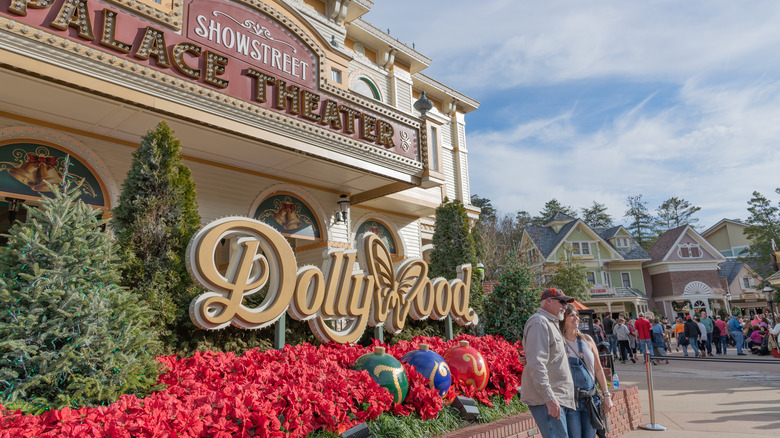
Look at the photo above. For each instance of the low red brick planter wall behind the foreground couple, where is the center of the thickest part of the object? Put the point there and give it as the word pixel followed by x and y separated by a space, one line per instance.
pixel 625 417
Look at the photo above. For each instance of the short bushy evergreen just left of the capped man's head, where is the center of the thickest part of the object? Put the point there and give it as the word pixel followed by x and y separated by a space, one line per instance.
pixel 513 300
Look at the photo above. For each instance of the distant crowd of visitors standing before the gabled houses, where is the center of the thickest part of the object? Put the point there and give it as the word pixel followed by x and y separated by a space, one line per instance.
pixel 626 338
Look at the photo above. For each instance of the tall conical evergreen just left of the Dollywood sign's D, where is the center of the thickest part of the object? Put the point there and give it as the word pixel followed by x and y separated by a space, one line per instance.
pixel 154 220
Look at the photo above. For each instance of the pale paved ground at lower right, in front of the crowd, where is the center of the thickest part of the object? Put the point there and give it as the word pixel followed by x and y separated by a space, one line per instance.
pixel 702 398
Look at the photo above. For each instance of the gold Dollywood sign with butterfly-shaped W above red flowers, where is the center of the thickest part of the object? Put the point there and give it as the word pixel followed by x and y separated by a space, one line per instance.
pixel 261 259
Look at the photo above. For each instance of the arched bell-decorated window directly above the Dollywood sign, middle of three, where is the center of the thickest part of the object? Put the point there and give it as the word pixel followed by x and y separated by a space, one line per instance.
pixel 291 211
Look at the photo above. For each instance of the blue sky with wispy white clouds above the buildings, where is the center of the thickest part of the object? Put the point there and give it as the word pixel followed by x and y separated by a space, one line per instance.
pixel 601 100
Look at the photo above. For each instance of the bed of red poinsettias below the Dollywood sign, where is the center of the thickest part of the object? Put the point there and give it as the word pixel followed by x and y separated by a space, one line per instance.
pixel 270 393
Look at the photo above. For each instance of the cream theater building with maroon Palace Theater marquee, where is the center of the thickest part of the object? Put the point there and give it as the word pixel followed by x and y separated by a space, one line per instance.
pixel 289 111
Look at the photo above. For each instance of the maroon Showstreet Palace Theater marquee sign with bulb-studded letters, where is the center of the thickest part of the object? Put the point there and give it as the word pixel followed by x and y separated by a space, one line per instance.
pixel 228 47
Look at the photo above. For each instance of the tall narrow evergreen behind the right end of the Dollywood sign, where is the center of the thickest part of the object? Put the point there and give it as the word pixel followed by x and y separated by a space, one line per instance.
pixel 453 245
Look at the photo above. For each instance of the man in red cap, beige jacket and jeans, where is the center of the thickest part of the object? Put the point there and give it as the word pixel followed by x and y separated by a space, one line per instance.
pixel 547 385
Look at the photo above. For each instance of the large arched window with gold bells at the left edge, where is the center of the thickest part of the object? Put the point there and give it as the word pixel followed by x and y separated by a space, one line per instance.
pixel 30 155
